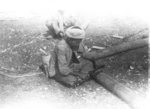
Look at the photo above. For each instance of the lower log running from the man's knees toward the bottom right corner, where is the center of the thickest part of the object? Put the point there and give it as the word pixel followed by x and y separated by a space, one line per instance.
pixel 116 88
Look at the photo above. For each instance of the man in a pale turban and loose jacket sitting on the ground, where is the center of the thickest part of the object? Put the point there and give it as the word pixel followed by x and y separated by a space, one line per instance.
pixel 66 64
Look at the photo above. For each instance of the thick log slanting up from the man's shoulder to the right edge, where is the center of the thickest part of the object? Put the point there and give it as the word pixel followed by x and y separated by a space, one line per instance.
pixel 116 49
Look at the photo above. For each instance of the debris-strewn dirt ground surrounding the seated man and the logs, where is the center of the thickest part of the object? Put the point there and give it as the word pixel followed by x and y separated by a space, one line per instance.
pixel 20 40
